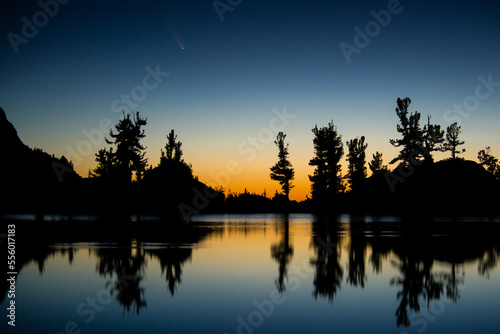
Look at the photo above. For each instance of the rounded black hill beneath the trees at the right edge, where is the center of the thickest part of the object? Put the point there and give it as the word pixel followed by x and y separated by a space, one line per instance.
pixel 444 188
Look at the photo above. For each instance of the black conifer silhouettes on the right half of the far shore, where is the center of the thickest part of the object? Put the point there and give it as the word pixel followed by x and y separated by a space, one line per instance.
pixel 416 143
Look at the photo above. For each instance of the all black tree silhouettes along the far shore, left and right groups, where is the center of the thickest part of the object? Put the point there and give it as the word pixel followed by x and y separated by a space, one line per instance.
pixel 126 162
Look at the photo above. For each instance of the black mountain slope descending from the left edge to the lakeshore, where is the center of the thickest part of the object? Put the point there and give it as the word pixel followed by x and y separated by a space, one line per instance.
pixel 36 182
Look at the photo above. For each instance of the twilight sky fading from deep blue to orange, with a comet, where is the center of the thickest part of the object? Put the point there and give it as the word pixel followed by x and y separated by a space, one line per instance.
pixel 229 75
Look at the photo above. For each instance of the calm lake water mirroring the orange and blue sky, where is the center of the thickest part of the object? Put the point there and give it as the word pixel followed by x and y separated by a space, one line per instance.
pixel 265 274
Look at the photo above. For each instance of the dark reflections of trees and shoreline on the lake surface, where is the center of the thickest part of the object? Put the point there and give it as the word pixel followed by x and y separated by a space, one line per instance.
pixel 430 265
